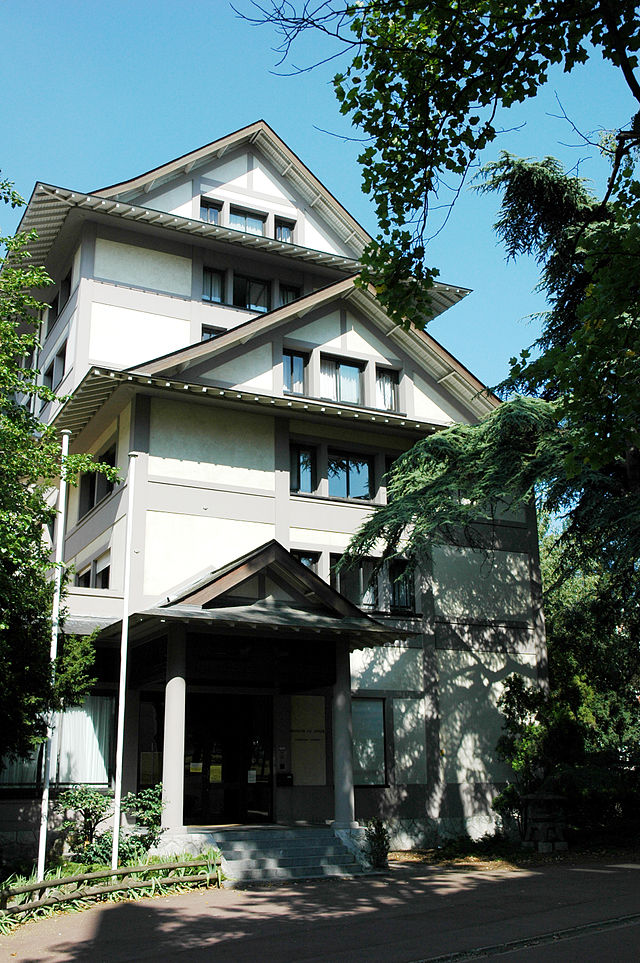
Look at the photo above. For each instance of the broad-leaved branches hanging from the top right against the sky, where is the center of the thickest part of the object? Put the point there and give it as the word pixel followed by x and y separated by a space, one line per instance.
pixel 423 87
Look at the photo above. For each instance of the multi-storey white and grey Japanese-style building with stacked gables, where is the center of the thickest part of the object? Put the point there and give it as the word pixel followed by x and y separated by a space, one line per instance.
pixel 205 316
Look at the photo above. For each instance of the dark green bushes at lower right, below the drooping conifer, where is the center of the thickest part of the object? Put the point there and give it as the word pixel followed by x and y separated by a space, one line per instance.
pixel 581 738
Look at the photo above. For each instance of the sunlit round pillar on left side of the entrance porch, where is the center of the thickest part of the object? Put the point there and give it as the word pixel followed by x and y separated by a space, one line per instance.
pixel 174 728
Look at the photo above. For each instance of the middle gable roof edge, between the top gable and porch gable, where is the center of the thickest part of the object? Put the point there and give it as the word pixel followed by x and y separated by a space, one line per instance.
pixel 428 352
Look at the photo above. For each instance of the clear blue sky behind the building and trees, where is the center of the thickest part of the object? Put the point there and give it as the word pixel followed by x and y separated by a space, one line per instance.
pixel 95 93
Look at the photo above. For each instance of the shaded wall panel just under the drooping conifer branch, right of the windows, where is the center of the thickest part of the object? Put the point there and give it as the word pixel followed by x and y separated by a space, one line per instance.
pixel 474 584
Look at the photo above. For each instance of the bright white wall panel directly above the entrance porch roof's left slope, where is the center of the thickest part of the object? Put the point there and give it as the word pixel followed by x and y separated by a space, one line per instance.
pixel 179 546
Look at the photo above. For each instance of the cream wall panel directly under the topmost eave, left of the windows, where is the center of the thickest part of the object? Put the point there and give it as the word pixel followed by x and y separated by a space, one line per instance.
pixel 143 267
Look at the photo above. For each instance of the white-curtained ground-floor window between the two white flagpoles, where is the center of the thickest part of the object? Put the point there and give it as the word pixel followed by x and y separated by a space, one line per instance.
pixel 84 740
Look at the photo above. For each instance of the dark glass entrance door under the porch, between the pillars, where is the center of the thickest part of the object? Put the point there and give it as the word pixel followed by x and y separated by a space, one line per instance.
pixel 228 759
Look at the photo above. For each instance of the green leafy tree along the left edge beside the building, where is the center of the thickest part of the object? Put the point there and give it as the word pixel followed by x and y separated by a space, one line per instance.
pixel 30 467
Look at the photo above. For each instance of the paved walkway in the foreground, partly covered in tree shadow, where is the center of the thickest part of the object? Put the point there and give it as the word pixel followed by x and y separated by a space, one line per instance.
pixel 581 911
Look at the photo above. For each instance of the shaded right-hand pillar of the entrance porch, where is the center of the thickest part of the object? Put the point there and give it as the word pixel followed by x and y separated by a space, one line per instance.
pixel 343 743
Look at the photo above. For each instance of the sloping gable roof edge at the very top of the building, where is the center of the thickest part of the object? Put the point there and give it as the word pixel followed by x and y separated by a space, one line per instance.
pixel 289 165
